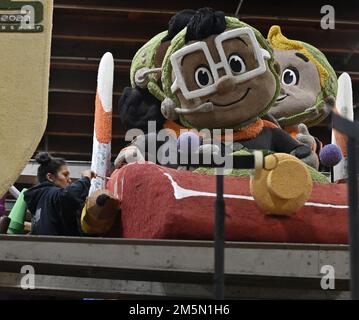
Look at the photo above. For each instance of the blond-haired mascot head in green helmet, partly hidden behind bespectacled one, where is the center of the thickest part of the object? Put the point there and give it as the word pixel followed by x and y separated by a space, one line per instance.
pixel 308 82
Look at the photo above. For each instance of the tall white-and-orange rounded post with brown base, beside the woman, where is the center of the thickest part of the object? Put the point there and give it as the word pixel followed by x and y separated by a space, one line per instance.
pixel 100 209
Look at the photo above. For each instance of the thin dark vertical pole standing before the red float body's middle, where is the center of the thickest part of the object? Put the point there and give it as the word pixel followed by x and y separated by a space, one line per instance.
pixel 219 237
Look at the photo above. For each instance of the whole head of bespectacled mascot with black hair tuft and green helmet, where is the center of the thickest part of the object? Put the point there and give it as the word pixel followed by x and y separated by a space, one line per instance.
pixel 219 72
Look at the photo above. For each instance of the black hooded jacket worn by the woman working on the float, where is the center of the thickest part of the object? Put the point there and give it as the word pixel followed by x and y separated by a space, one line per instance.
pixel 56 211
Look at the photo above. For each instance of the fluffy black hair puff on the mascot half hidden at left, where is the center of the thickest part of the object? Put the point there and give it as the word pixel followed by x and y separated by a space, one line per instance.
pixel 137 107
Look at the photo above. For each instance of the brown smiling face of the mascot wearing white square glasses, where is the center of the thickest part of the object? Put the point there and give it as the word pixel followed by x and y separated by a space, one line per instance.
pixel 229 71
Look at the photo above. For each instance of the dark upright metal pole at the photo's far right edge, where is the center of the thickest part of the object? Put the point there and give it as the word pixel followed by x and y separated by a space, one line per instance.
pixel 353 217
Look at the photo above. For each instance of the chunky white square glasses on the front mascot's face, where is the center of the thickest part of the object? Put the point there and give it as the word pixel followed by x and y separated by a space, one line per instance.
pixel 231 60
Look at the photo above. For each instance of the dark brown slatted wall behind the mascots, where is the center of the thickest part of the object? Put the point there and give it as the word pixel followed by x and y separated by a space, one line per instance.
pixel 85 29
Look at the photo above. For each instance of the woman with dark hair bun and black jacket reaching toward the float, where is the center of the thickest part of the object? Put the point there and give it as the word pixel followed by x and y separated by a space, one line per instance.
pixel 55 204
